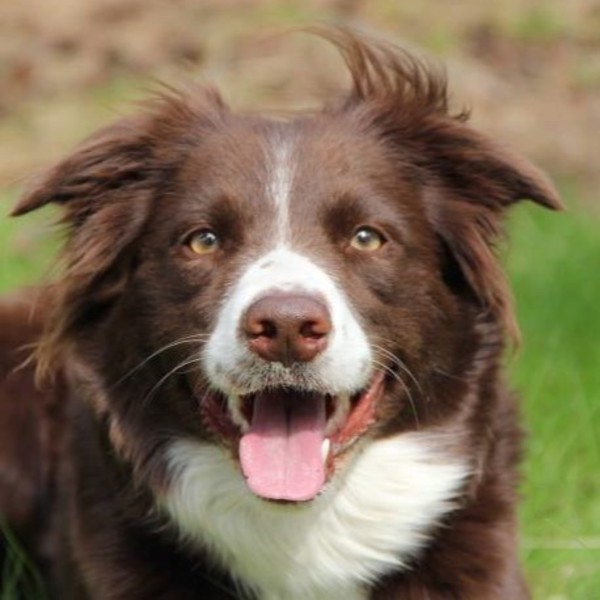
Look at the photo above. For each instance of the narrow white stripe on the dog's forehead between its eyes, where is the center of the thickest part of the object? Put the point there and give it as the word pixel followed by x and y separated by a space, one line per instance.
pixel 281 175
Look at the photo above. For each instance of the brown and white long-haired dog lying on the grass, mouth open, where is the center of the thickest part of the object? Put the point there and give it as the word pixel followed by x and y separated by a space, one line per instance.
pixel 272 366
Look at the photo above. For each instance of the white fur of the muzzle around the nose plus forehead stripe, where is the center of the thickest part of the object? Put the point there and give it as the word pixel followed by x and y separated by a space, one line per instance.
pixel 343 368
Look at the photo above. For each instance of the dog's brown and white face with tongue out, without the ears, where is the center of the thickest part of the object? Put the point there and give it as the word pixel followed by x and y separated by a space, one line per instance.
pixel 294 263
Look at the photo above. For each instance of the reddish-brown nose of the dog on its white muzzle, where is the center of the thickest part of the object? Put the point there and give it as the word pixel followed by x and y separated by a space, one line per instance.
pixel 287 328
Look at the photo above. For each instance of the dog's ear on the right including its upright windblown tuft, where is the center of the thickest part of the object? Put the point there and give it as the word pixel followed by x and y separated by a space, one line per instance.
pixel 467 181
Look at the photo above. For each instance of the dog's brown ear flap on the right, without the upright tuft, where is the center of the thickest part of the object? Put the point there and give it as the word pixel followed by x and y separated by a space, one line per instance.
pixel 475 181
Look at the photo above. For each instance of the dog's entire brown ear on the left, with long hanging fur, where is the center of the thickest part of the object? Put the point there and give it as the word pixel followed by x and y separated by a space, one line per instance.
pixel 106 190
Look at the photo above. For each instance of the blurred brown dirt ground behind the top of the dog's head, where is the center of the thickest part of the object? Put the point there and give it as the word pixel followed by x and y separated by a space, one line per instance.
pixel 530 70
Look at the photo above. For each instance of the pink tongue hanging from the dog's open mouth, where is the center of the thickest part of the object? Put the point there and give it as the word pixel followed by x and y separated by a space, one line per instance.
pixel 281 454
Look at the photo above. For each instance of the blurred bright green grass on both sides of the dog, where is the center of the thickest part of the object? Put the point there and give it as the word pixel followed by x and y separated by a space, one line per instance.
pixel 554 265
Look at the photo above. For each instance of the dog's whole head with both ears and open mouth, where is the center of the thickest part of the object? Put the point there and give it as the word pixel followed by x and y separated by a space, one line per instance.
pixel 284 289
